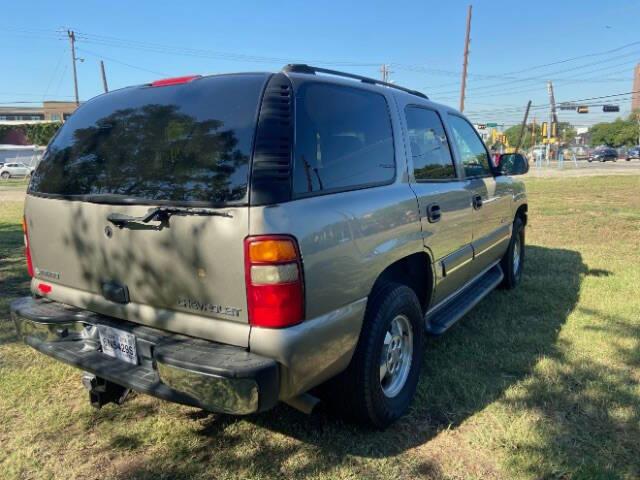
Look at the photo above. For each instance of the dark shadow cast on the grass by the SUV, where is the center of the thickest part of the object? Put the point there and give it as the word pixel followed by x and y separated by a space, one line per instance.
pixel 494 347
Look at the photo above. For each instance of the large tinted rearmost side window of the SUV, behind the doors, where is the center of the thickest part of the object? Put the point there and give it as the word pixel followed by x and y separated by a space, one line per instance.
pixel 343 139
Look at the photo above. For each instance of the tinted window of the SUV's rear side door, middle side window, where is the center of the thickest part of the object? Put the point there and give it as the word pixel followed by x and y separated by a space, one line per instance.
pixel 429 147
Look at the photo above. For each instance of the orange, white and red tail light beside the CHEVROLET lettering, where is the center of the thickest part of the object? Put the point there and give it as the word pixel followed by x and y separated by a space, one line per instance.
pixel 275 288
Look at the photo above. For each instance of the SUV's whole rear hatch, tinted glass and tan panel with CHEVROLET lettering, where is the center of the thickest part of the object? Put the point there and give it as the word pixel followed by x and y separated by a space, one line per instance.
pixel 185 148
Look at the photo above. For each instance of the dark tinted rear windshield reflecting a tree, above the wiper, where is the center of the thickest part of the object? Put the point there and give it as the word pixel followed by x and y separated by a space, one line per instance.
pixel 188 143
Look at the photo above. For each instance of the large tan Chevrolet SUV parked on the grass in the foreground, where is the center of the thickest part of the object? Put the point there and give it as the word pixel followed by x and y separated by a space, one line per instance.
pixel 182 244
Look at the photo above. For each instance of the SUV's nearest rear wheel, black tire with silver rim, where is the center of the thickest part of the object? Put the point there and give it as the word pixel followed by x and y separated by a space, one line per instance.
pixel 369 391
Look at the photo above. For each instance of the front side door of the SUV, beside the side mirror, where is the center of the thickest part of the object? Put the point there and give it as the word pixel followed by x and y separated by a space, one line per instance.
pixel 491 196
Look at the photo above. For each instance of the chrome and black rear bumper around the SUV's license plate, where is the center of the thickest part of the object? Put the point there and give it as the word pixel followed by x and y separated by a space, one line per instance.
pixel 212 376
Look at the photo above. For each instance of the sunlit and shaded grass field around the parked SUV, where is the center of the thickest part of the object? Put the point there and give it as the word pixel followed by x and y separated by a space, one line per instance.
pixel 540 382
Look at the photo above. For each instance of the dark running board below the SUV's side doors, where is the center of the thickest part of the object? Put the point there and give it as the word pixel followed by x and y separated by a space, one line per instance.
pixel 441 318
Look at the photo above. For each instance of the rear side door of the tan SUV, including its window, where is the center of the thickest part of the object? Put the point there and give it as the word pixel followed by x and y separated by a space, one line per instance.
pixel 443 199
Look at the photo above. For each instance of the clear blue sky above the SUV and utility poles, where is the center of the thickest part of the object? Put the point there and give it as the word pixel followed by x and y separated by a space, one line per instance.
pixel 592 46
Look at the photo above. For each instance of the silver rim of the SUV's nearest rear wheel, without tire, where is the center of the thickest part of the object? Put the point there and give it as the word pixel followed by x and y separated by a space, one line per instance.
pixel 396 356
